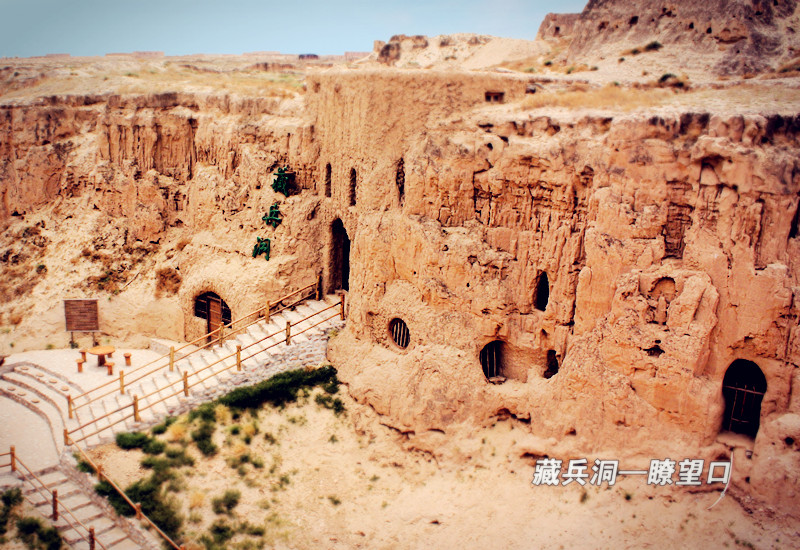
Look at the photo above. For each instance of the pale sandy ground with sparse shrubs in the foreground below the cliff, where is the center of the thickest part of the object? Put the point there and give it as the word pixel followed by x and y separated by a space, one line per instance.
pixel 350 482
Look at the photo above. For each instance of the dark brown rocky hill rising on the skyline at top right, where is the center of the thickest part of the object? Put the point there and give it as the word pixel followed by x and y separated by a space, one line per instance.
pixel 739 37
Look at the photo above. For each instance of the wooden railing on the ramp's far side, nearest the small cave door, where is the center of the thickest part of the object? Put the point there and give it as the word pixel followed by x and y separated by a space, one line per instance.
pixel 213 338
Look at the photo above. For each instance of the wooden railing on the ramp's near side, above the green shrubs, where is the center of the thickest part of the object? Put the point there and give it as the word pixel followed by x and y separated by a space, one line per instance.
pixel 136 407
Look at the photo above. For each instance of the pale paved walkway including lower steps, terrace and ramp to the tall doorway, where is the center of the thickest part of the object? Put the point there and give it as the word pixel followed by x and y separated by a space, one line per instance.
pixel 34 387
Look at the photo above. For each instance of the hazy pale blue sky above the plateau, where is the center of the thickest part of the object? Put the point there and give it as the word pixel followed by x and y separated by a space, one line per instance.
pixel 177 27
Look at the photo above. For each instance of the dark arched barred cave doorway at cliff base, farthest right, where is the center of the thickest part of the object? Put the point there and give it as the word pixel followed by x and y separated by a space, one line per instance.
pixel 743 388
